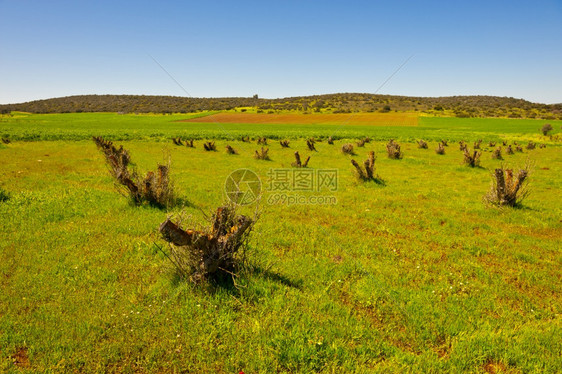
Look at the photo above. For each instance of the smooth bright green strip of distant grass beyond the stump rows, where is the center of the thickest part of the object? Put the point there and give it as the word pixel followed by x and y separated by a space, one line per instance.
pixel 82 126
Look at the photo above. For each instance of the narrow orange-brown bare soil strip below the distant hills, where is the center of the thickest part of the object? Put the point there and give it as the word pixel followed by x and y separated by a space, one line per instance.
pixel 369 119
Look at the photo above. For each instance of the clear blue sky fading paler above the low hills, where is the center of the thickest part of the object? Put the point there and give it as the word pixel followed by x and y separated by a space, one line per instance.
pixel 280 48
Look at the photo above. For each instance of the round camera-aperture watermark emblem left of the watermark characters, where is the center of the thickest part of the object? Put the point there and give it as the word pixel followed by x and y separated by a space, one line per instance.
pixel 242 187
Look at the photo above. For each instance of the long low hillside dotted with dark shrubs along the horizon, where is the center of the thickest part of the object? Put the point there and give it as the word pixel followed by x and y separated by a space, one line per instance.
pixel 459 106
